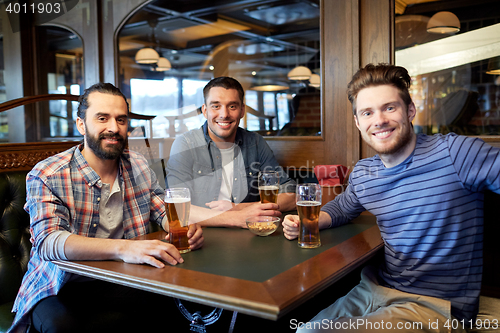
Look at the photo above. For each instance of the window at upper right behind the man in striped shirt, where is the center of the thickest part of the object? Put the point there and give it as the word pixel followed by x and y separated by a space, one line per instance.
pixel 453 87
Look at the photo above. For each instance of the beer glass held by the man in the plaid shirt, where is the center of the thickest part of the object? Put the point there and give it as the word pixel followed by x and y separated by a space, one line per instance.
pixel 177 205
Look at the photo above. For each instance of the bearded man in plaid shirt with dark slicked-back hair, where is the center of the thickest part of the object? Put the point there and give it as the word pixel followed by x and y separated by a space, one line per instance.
pixel 85 204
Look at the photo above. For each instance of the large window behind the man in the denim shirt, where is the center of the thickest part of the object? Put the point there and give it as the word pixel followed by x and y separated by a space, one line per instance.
pixel 256 44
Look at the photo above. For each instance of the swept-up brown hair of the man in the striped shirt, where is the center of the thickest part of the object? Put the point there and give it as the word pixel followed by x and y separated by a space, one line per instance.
pixel 382 74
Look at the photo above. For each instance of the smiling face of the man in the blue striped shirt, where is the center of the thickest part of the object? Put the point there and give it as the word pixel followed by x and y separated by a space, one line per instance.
pixel 384 122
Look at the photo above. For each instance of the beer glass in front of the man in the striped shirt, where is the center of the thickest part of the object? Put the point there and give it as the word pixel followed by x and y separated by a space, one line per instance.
pixel 308 204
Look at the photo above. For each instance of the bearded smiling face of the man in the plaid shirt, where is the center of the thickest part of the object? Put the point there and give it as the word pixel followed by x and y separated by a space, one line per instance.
pixel 105 125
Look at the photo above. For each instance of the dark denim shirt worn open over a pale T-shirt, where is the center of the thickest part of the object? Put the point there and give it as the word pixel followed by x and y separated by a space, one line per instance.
pixel 195 162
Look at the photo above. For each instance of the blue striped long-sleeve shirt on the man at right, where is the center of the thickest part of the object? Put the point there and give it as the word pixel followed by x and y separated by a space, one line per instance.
pixel 429 209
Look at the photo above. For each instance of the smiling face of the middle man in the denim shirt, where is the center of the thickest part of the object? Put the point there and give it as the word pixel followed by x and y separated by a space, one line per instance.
pixel 223 110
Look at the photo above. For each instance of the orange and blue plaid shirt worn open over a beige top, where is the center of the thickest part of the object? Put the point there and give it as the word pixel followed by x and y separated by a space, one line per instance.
pixel 63 193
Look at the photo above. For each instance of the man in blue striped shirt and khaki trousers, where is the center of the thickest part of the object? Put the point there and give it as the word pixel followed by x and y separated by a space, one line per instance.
pixel 427 195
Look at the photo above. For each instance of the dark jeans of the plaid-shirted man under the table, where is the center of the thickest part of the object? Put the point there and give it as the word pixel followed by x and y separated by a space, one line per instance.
pixel 98 306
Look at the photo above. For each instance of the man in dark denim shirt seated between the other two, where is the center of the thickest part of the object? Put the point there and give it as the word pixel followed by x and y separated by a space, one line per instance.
pixel 220 161
